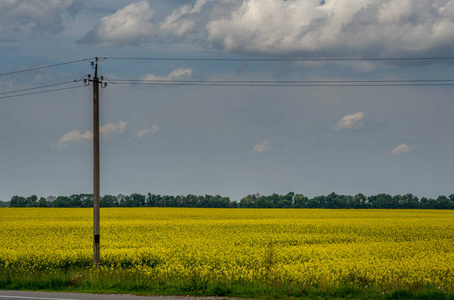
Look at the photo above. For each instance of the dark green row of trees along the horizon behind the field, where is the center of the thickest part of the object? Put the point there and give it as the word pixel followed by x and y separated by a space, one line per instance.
pixel 289 200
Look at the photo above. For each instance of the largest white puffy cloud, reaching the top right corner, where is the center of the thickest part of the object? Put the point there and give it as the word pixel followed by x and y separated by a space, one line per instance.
pixel 388 27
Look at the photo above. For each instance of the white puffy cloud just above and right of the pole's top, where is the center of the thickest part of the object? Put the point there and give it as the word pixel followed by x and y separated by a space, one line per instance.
pixel 128 26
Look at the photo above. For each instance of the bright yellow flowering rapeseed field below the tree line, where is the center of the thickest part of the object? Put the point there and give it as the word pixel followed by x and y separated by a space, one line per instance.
pixel 387 248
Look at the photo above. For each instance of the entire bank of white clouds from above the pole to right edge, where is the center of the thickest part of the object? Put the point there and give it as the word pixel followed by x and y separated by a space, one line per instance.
pixel 293 27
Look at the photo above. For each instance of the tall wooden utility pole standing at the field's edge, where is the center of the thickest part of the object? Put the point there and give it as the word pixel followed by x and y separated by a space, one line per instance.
pixel 96 171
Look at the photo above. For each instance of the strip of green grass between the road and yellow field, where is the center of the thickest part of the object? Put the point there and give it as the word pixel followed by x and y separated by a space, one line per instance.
pixel 122 281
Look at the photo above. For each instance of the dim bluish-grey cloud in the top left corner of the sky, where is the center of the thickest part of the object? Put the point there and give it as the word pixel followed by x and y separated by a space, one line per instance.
pixel 37 15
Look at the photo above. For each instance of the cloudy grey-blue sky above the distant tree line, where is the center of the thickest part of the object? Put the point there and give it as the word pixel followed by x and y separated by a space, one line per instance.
pixel 227 140
